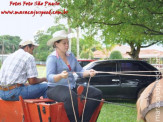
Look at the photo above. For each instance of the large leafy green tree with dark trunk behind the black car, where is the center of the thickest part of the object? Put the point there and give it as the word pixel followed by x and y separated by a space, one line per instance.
pixel 134 22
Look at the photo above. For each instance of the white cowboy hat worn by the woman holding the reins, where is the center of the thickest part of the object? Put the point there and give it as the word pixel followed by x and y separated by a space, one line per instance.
pixel 59 35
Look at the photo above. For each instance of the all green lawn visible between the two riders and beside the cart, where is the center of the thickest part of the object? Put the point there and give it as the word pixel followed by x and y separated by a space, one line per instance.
pixel 109 112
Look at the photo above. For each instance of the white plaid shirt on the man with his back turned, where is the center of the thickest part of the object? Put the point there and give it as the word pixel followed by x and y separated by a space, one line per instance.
pixel 17 67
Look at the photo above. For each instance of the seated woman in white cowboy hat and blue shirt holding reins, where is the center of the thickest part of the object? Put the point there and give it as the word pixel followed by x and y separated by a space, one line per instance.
pixel 60 66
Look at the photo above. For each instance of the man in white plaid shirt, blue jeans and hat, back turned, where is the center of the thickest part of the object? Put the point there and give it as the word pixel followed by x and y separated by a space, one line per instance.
pixel 17 69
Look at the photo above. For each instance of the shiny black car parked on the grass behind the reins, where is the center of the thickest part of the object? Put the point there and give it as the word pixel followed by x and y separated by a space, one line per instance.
pixel 121 78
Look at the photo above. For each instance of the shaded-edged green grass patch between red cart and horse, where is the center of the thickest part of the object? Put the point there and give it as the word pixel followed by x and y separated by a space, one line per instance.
pixel 118 111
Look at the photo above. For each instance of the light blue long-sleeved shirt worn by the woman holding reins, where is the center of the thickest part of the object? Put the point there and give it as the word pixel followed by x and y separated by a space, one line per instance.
pixel 55 65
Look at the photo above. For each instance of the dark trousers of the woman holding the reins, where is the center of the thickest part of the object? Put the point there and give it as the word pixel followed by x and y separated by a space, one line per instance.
pixel 61 94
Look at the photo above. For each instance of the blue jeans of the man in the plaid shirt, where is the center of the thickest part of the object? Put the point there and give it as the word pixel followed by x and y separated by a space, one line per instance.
pixel 27 92
